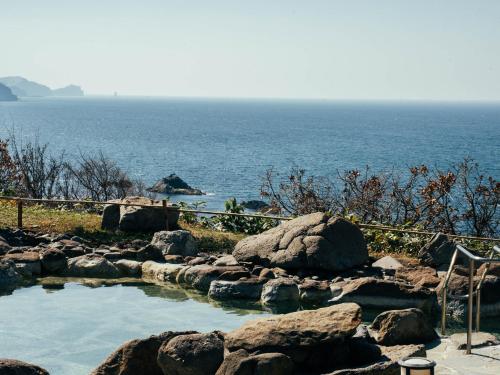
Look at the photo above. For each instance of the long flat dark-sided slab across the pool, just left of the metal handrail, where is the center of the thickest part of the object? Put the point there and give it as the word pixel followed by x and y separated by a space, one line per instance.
pixel 376 293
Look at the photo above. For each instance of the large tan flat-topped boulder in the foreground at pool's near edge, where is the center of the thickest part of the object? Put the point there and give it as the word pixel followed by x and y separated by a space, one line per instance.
pixel 304 336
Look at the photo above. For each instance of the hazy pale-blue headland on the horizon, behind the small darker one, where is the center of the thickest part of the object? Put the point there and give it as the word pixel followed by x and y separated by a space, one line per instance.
pixel 22 87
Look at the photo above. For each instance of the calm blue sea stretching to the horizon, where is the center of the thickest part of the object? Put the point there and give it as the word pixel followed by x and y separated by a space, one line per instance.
pixel 225 146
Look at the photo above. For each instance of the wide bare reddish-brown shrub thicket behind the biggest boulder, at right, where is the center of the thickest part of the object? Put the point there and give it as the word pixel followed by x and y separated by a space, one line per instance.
pixel 457 200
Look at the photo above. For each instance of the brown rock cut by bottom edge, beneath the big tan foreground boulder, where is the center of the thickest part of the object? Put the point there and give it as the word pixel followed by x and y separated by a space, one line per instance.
pixel 243 363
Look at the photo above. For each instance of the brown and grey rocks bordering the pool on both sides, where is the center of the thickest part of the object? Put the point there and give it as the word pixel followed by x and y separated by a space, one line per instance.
pixel 314 263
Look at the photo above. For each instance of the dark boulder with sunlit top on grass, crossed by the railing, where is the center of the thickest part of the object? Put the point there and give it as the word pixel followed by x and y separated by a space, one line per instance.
pixel 138 219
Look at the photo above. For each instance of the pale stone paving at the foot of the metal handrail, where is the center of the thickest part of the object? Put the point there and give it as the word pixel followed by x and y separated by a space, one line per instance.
pixel 451 361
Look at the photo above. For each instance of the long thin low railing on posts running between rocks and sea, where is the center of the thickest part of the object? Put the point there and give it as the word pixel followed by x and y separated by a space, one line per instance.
pixel 174 208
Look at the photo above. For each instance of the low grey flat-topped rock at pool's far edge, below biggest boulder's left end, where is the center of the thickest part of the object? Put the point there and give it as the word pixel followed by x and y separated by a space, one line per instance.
pixel 241 289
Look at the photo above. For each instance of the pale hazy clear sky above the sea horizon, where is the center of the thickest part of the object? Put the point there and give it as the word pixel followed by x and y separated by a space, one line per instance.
pixel 374 49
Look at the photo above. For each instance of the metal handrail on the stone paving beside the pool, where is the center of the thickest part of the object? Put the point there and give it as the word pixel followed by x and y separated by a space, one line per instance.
pixel 470 296
